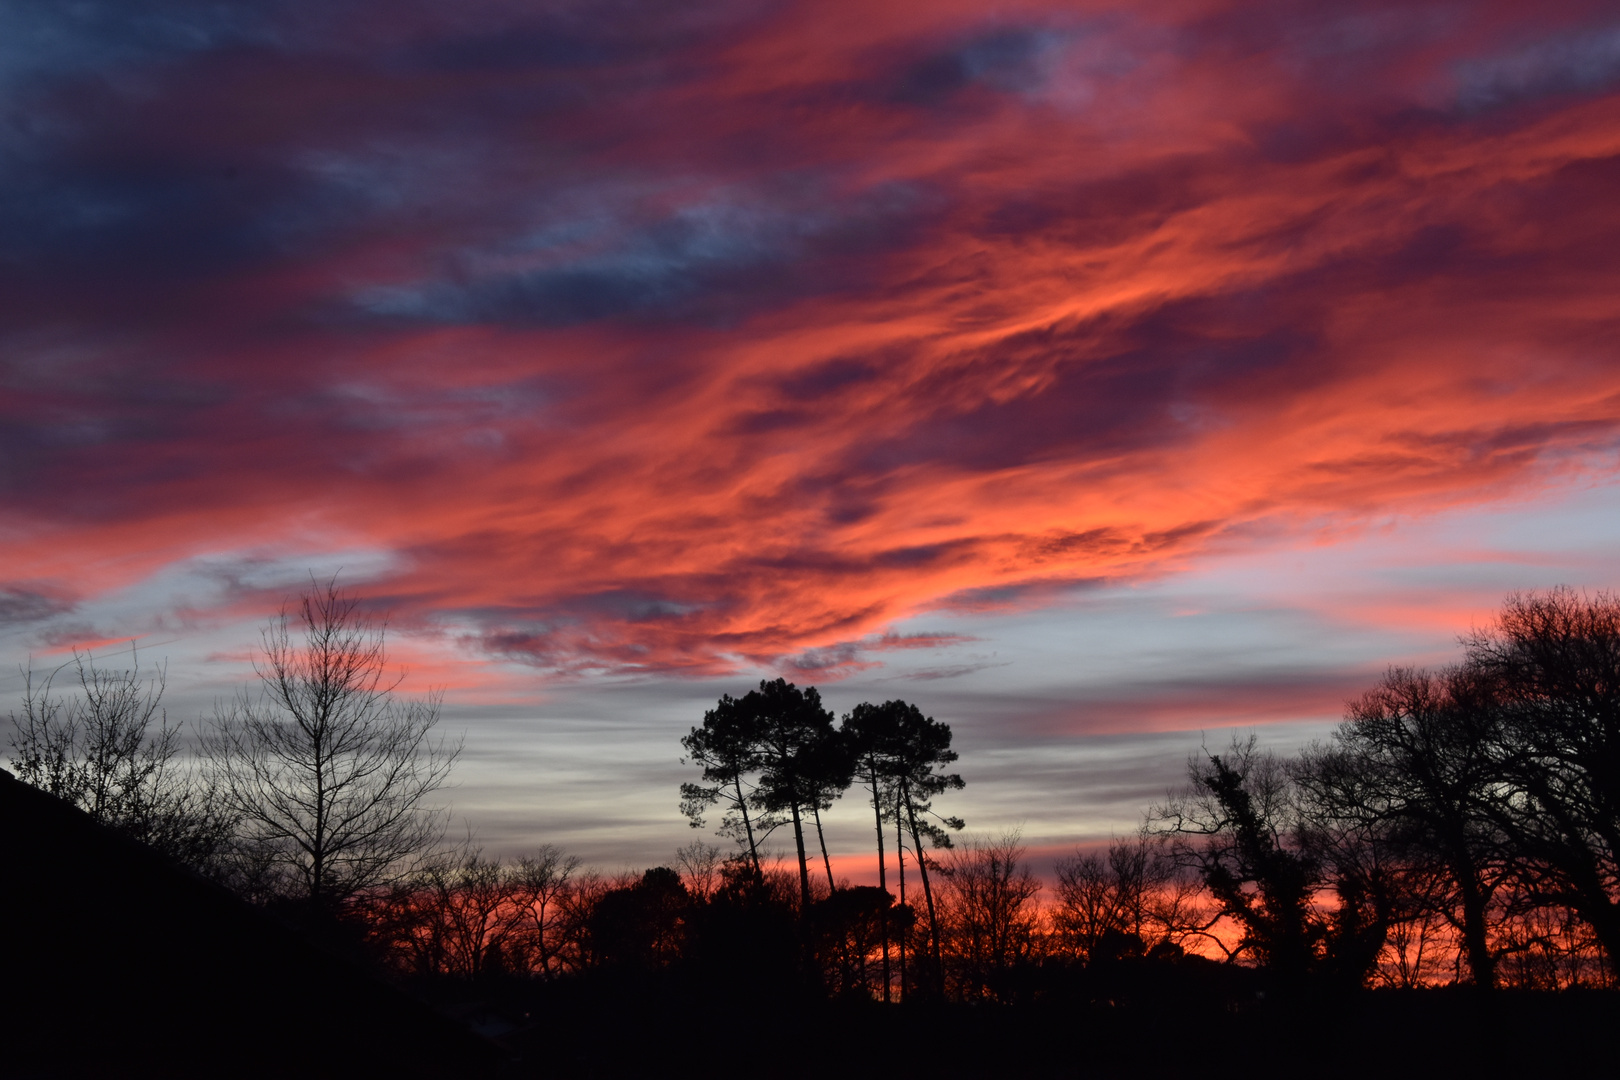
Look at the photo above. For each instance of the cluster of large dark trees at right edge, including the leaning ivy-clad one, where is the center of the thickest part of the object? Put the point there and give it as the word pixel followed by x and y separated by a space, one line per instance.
pixel 1464 819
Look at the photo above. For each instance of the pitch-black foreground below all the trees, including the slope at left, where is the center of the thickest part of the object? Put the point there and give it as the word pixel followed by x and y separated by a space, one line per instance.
pixel 117 964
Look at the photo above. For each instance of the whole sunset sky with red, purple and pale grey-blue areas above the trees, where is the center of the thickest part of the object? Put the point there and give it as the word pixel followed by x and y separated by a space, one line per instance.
pixel 1102 378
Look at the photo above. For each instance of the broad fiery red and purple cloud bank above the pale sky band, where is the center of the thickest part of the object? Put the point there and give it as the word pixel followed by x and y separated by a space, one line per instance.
pixel 748 342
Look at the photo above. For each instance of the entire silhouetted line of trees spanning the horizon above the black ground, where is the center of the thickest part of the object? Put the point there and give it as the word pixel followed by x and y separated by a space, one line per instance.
pixel 1462 827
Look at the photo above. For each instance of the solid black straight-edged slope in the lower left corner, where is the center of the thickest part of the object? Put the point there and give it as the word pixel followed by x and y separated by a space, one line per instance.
pixel 119 963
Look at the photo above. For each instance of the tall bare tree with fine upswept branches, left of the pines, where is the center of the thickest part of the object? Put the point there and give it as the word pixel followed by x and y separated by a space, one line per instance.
pixel 328 770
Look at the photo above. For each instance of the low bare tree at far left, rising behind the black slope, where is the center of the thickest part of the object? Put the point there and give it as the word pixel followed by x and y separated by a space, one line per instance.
pixel 108 747
